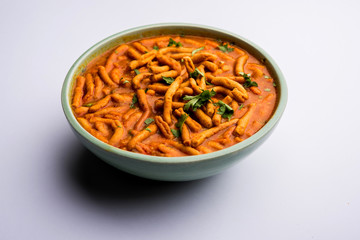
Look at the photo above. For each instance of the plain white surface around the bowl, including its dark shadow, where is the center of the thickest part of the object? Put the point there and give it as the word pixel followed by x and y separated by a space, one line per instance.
pixel 303 183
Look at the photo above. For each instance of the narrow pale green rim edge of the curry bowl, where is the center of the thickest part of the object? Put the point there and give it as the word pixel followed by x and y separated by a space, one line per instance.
pixel 67 87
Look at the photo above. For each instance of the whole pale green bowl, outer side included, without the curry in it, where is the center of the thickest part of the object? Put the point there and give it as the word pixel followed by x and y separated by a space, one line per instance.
pixel 174 168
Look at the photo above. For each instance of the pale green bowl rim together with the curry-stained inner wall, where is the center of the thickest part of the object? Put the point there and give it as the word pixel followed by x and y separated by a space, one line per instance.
pixel 165 29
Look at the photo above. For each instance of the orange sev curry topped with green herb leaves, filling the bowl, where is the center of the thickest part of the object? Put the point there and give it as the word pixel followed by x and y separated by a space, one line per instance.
pixel 174 96
